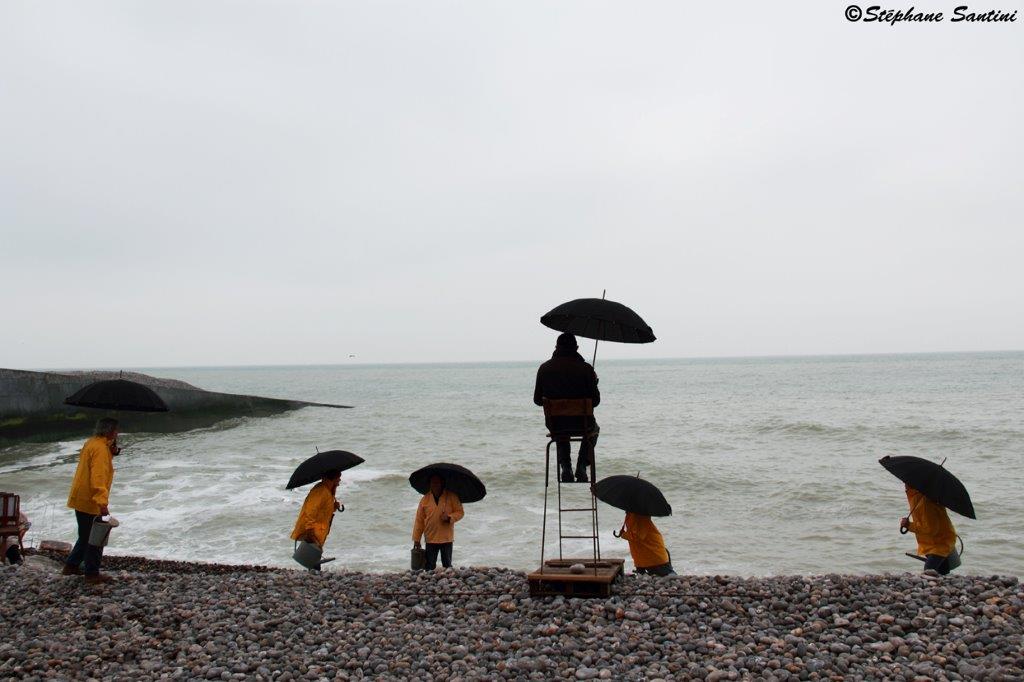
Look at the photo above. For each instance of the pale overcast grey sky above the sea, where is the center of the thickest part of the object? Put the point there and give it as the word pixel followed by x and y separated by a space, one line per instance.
pixel 190 184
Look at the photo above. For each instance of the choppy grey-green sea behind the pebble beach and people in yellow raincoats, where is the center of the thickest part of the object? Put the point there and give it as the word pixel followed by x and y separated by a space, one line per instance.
pixel 771 464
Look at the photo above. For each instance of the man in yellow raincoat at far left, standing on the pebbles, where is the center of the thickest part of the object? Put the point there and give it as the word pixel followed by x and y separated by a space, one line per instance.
pixel 90 497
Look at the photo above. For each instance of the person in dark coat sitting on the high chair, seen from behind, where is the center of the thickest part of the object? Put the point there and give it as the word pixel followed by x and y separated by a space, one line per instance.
pixel 568 375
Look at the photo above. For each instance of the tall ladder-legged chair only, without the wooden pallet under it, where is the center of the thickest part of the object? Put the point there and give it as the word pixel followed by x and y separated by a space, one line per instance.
pixel 584 410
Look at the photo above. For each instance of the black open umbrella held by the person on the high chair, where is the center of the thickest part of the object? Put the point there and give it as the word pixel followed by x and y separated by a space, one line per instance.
pixel 601 320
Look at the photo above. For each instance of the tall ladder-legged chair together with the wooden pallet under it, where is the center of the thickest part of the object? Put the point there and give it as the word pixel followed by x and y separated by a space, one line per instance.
pixel 556 577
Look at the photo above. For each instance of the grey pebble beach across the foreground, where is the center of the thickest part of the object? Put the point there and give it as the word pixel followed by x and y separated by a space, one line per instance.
pixel 172 621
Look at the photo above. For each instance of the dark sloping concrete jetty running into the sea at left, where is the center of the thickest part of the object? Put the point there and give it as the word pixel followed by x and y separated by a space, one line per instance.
pixel 32 405
